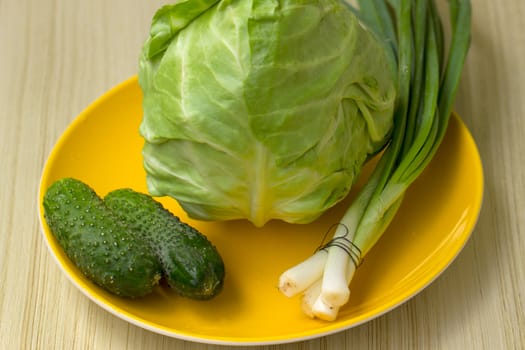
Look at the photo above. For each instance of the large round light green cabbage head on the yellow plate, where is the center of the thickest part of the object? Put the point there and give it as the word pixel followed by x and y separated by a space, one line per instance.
pixel 261 109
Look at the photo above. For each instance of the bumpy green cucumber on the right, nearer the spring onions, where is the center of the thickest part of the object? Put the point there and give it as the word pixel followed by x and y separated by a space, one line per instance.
pixel 191 264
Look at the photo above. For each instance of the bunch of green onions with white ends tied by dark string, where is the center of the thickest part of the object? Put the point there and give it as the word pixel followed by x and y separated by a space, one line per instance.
pixel 427 82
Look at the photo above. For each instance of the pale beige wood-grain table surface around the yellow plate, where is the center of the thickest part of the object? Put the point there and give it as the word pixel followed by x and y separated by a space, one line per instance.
pixel 57 56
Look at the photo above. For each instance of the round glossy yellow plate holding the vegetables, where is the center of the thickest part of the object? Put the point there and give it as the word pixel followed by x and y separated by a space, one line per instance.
pixel 103 148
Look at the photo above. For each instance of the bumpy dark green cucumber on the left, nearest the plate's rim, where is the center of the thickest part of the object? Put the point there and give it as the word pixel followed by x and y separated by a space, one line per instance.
pixel 97 243
